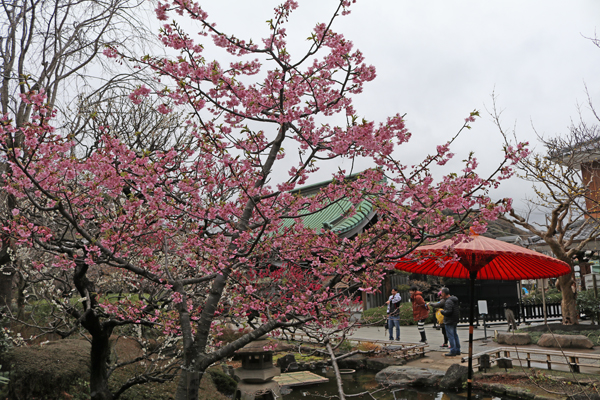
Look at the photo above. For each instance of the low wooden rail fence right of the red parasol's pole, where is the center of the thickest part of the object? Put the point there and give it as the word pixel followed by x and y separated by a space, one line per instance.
pixel 547 357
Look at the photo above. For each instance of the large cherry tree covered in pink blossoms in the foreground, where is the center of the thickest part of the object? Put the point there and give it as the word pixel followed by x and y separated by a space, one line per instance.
pixel 215 224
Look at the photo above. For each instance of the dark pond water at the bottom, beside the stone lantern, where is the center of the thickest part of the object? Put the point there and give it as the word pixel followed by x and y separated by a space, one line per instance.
pixel 362 381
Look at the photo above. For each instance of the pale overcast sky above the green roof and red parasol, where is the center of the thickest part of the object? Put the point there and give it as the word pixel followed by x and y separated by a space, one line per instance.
pixel 438 60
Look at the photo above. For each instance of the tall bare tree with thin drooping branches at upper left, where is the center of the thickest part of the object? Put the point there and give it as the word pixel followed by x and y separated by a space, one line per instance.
pixel 52 48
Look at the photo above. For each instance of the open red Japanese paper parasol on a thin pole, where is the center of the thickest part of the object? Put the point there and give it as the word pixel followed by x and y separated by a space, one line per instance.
pixel 482 258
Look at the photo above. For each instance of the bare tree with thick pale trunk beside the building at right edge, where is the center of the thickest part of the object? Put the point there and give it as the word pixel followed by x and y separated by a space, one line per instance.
pixel 566 181
